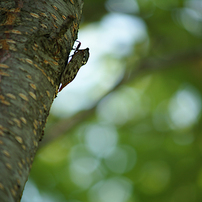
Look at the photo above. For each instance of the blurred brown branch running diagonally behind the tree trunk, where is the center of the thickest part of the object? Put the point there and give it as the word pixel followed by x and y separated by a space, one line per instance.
pixel 145 66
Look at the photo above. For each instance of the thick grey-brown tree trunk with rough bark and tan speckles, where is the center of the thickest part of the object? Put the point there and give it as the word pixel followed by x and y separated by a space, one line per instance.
pixel 36 37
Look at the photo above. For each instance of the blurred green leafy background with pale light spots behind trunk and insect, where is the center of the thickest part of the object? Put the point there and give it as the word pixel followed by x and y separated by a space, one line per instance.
pixel 128 128
